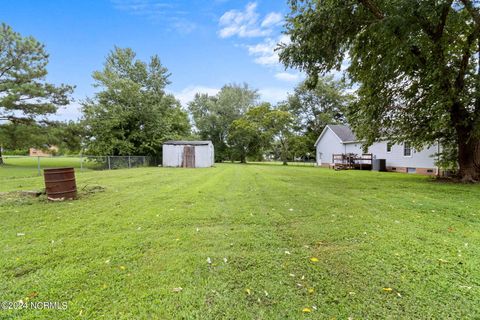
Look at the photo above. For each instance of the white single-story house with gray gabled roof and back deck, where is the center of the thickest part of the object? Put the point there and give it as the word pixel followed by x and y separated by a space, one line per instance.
pixel 340 139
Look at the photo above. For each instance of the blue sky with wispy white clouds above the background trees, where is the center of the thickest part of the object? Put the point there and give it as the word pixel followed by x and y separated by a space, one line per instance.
pixel 204 44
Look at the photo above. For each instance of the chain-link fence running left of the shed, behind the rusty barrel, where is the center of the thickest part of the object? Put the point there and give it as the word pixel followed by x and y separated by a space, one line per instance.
pixel 31 165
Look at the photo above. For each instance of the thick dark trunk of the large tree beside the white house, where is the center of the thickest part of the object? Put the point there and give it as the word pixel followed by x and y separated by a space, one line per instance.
pixel 468 158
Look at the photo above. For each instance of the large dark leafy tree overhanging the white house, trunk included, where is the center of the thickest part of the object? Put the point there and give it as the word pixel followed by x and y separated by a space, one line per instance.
pixel 417 65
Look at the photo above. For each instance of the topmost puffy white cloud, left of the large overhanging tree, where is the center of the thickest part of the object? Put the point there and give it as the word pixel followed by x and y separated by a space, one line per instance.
pixel 245 24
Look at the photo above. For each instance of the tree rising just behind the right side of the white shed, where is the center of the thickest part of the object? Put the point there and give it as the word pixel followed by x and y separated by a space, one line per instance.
pixel 213 115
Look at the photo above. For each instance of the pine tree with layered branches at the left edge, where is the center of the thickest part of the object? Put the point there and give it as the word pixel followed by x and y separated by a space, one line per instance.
pixel 25 96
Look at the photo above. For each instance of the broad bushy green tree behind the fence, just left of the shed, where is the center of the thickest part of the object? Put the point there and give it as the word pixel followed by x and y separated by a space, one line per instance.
pixel 132 114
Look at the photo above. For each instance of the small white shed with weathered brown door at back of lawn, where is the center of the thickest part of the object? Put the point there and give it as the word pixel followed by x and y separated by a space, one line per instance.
pixel 188 154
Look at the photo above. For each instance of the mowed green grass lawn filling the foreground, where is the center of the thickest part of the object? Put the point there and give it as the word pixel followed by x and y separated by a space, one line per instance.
pixel 384 245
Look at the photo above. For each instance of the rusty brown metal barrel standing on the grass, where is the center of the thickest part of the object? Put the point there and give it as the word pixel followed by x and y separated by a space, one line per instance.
pixel 60 183
